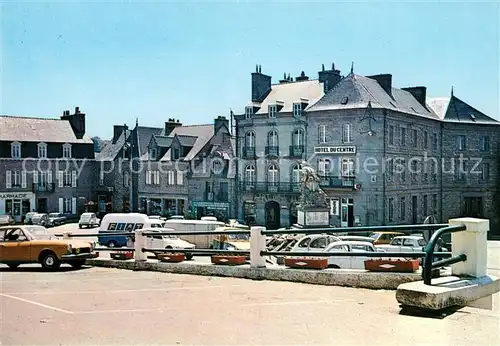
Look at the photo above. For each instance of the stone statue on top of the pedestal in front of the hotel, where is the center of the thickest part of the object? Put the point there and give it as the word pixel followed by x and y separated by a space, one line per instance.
pixel 312 196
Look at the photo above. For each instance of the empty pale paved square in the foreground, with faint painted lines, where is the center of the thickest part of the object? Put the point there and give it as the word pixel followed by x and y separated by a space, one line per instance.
pixel 116 307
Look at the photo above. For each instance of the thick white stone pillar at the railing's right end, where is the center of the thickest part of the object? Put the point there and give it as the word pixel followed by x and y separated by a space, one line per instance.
pixel 472 242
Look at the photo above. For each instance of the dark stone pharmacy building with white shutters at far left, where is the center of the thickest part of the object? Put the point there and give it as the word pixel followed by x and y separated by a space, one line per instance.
pixel 46 165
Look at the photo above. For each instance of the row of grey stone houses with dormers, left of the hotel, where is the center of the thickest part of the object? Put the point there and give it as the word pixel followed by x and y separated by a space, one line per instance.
pixel 169 171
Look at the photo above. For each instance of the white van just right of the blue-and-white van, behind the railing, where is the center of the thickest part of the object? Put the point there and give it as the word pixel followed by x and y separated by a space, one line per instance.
pixel 200 241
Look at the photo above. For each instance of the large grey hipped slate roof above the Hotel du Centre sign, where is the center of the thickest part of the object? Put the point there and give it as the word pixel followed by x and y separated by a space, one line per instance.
pixel 360 90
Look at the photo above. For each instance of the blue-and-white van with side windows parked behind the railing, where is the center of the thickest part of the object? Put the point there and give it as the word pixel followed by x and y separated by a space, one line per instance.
pixel 123 223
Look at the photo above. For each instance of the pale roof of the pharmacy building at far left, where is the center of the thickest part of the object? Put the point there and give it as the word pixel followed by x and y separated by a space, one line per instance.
pixel 25 129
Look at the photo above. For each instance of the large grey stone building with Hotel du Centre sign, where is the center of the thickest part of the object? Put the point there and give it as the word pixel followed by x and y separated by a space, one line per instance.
pixel 382 152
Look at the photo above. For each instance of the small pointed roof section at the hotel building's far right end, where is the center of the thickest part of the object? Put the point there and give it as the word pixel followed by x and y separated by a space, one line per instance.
pixel 452 109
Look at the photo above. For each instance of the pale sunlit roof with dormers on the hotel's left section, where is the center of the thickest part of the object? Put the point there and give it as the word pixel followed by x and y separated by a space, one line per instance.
pixel 289 93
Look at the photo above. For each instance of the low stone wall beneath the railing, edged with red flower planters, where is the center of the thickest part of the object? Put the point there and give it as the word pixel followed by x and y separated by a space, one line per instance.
pixel 331 277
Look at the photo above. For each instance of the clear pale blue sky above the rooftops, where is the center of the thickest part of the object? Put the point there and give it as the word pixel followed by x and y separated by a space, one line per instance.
pixel 119 61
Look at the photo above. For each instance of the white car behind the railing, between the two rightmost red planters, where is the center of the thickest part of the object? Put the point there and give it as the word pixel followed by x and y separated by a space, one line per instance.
pixel 349 262
